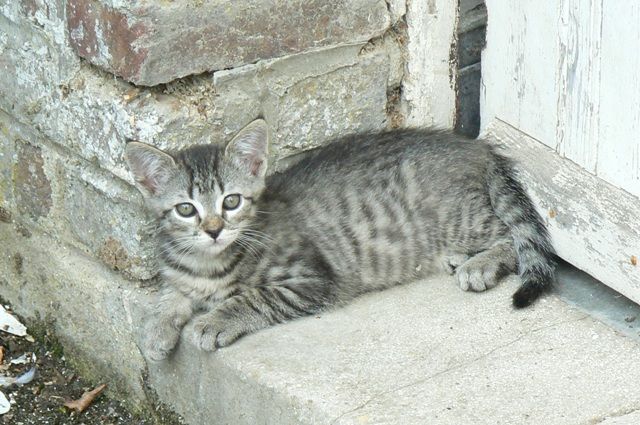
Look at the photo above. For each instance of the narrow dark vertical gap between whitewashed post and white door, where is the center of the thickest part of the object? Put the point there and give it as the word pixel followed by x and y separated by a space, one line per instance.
pixel 472 25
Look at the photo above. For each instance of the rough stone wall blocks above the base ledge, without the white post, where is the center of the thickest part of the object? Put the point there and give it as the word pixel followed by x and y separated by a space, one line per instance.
pixel 66 119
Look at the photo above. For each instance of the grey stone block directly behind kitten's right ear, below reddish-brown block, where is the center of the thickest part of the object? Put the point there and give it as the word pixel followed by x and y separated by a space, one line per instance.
pixel 308 99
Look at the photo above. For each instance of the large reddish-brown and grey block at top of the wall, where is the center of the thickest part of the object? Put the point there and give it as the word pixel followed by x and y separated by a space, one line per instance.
pixel 155 42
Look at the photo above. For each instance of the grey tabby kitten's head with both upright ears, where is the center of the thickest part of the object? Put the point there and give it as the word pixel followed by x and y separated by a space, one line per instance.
pixel 203 197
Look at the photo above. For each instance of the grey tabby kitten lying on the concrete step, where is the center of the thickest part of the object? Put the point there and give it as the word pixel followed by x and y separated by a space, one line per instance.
pixel 240 251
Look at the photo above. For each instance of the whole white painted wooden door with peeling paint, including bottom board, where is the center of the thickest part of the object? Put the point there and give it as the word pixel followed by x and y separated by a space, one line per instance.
pixel 565 74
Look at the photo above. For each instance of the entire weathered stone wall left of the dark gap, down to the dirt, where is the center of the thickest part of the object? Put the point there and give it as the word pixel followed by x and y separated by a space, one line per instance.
pixel 79 78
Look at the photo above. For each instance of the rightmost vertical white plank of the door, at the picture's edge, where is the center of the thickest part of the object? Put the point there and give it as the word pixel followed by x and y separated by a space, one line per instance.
pixel 619 146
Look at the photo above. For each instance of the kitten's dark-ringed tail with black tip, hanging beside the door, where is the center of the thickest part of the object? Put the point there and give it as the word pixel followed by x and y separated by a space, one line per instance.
pixel 531 240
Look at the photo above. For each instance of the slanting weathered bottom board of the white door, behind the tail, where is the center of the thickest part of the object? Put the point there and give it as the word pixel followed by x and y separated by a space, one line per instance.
pixel 594 225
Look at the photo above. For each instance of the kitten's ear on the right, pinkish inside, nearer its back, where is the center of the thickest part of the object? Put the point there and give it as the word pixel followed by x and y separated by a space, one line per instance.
pixel 250 147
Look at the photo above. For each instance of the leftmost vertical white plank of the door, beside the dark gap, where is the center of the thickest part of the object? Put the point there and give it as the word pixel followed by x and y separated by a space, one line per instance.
pixel 521 55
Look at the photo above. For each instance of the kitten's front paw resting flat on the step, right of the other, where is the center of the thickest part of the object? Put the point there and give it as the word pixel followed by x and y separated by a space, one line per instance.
pixel 210 332
